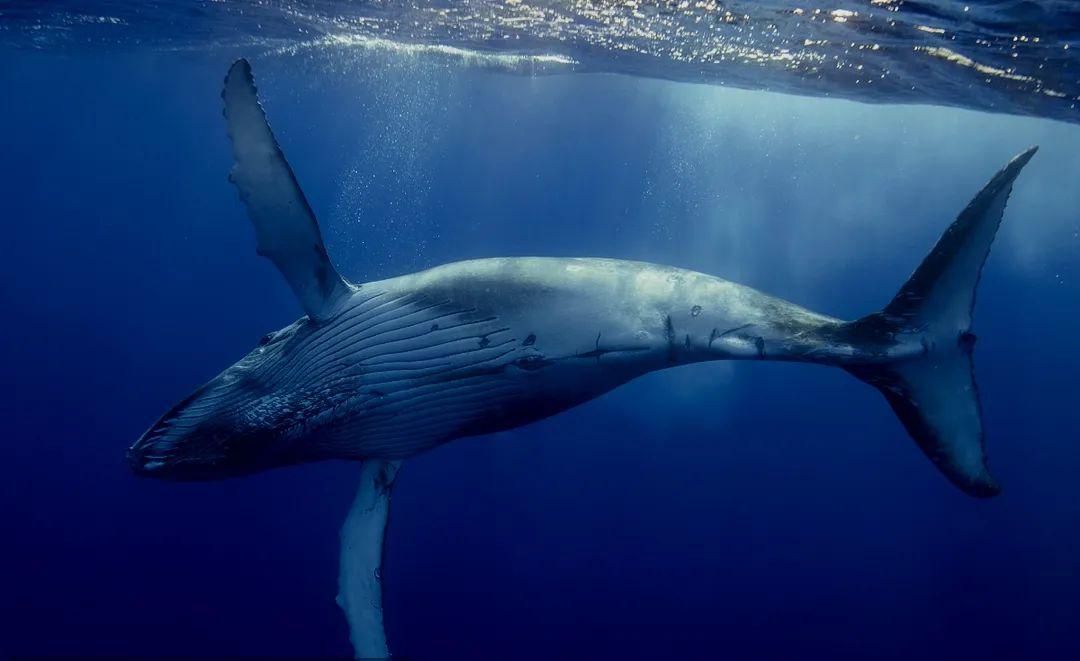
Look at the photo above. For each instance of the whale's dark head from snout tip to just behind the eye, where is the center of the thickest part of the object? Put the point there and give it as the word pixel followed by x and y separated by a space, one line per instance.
pixel 249 419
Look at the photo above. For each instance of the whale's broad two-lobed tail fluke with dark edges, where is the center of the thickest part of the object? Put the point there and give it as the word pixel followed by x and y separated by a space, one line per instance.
pixel 935 395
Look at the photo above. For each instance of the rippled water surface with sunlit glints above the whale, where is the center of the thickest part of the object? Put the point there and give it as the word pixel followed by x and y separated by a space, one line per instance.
pixel 1009 57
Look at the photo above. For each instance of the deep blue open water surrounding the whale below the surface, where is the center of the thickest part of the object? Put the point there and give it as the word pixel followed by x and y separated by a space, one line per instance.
pixel 747 510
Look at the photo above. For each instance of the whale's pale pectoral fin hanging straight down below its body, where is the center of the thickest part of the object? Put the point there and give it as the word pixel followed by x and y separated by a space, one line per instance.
pixel 360 583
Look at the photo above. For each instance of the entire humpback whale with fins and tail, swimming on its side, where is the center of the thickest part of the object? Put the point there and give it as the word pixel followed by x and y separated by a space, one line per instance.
pixel 383 371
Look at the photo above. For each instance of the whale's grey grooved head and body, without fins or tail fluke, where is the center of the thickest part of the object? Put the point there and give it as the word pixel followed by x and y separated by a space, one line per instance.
pixel 409 363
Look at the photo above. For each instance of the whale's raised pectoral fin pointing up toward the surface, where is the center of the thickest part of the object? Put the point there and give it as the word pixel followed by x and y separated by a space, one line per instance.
pixel 286 227
